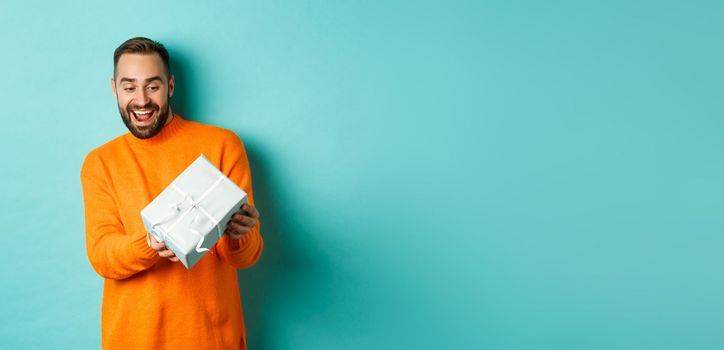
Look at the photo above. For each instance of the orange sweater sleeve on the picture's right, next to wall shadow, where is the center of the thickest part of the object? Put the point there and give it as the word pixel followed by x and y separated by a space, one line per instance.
pixel 245 251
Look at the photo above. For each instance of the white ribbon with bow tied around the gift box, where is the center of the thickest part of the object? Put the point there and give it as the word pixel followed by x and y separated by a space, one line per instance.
pixel 194 204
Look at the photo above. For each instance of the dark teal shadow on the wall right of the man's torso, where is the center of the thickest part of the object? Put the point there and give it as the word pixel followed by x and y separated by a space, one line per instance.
pixel 294 285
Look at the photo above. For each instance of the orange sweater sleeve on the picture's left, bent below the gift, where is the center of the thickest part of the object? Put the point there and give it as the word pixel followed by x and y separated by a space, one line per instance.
pixel 113 252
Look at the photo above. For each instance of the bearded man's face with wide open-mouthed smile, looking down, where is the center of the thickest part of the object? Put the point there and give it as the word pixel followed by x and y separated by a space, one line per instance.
pixel 142 90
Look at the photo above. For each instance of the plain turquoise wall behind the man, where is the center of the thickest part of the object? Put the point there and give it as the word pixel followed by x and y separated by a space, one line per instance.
pixel 462 175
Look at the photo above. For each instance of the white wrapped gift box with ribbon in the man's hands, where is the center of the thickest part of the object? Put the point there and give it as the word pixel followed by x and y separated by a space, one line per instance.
pixel 191 214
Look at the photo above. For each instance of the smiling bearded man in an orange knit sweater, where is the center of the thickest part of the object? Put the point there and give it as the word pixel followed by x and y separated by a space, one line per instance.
pixel 150 300
